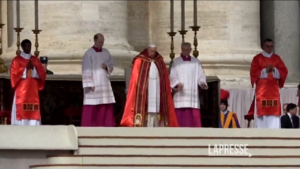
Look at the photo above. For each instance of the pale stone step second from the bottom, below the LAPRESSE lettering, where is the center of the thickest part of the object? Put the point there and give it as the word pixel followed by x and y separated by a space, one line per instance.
pixel 174 160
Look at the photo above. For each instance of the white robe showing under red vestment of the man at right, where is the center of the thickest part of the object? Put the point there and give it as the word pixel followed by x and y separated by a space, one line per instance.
pixel 272 122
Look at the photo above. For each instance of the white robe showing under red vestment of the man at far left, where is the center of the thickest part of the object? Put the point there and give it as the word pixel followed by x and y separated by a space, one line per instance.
pixel 24 122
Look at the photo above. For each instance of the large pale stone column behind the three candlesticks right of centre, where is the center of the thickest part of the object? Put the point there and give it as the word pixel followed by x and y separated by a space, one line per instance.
pixel 228 39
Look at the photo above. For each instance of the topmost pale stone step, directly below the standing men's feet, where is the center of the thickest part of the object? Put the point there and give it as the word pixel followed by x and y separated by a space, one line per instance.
pixel 192 133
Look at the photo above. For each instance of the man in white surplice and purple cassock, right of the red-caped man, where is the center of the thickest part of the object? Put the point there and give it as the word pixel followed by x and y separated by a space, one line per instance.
pixel 185 76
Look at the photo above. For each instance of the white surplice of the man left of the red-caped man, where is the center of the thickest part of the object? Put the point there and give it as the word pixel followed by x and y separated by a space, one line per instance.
pixel 93 75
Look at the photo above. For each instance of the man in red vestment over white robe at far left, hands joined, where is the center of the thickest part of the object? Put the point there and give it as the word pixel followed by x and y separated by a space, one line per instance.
pixel 27 77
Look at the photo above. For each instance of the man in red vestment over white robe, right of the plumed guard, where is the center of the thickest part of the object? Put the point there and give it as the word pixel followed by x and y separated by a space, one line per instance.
pixel 268 73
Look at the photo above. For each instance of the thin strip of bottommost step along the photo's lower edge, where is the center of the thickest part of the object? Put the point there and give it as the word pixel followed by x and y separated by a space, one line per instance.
pixel 70 166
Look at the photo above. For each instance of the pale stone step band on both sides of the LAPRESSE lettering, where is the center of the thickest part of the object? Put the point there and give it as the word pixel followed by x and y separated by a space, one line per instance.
pixel 184 150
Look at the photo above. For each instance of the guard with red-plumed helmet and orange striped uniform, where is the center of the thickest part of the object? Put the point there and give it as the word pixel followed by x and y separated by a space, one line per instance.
pixel 227 119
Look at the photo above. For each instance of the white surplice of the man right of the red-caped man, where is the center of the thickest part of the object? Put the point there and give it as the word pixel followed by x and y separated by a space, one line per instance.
pixel 191 75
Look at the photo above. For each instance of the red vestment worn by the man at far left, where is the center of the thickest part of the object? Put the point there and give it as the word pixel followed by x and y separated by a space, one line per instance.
pixel 27 90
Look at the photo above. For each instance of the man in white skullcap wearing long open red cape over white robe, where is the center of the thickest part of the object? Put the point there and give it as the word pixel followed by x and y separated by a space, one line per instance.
pixel 149 100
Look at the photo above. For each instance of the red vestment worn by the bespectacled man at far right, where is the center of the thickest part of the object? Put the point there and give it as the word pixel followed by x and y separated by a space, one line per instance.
pixel 267 90
